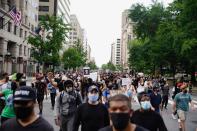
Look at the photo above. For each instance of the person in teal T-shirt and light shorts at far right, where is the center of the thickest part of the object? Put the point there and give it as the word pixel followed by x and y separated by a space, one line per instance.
pixel 181 104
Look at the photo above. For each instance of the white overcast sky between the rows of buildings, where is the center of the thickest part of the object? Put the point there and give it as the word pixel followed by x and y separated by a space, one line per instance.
pixel 102 21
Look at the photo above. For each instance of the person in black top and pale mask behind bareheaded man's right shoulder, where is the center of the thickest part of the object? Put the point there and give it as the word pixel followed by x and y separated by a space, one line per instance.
pixel 146 116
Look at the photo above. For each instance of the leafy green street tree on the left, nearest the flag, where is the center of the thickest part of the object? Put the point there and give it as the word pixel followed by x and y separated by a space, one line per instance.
pixel 46 49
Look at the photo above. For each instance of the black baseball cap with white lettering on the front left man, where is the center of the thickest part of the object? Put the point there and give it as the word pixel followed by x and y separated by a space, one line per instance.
pixel 24 93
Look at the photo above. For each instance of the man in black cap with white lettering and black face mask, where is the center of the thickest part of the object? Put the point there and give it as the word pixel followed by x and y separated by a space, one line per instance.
pixel 26 118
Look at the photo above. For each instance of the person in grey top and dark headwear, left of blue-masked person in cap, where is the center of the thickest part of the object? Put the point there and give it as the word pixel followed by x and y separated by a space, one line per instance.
pixel 66 105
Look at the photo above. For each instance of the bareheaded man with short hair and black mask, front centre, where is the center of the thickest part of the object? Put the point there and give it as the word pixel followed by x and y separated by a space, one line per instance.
pixel 120 112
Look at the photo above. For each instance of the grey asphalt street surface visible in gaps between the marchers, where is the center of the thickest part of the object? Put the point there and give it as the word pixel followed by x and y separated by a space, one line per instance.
pixel 171 124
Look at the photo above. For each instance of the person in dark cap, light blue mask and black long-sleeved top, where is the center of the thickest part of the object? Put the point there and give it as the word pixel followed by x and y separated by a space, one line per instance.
pixel 91 115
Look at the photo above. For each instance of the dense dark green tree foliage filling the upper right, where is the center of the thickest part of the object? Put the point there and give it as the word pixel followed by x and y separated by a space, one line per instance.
pixel 165 37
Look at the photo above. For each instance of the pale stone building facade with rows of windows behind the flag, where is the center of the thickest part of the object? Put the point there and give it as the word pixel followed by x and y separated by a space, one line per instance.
pixel 15 52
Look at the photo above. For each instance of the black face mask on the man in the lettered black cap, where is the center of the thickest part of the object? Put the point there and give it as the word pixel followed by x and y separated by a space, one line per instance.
pixel 23 112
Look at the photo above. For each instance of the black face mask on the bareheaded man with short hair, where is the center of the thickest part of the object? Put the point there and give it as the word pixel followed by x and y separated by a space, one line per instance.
pixel 120 120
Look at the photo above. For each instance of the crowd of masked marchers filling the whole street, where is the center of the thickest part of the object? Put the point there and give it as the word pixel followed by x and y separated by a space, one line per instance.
pixel 101 105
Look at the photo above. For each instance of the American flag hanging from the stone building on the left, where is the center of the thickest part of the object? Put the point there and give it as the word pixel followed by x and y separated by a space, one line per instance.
pixel 16 16
